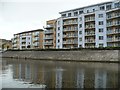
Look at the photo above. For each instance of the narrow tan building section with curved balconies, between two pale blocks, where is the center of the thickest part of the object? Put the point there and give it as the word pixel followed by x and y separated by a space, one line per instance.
pixel 50 34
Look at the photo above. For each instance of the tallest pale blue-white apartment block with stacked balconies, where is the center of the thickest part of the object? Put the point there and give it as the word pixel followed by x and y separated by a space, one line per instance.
pixel 91 26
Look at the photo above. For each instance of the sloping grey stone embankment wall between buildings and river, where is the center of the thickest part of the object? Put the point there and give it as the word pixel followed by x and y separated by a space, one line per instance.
pixel 82 55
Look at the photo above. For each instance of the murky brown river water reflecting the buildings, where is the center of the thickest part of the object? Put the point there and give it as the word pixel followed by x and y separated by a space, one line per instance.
pixel 19 73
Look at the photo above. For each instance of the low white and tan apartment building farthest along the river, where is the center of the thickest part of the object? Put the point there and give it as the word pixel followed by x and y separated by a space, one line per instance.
pixel 28 40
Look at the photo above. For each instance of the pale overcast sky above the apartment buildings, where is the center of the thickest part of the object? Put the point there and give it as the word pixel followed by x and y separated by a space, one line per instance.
pixel 23 15
